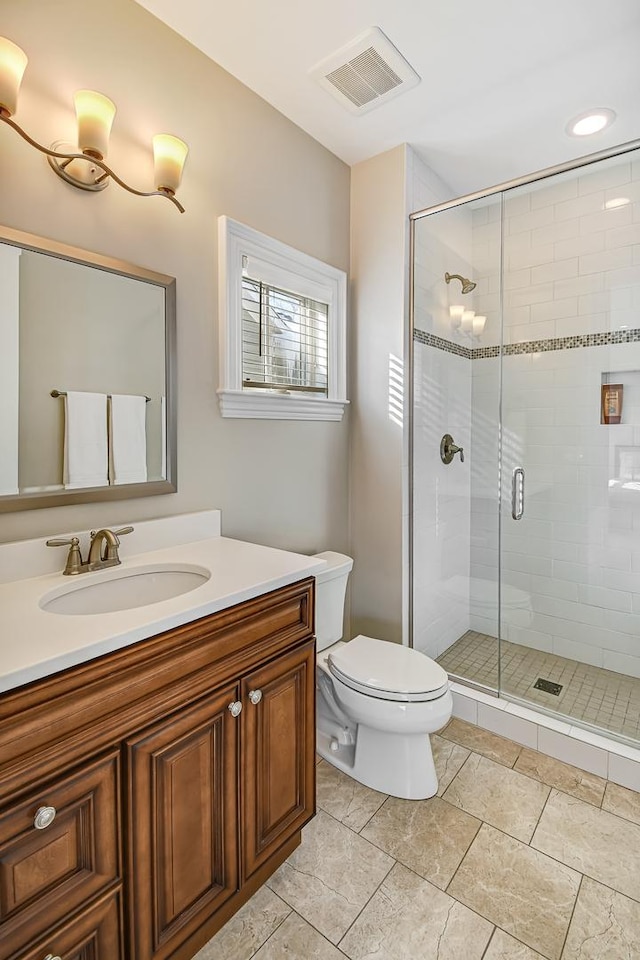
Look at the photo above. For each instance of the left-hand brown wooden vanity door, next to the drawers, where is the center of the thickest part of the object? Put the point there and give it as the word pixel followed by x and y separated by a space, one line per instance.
pixel 182 823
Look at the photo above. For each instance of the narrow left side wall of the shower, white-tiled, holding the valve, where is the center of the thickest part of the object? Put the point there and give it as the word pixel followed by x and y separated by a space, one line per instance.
pixel 442 401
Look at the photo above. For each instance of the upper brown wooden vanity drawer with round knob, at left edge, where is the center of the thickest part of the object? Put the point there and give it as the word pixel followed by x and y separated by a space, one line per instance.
pixel 47 873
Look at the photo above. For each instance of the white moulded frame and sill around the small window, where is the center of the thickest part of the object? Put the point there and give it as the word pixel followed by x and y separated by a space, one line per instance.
pixel 296 271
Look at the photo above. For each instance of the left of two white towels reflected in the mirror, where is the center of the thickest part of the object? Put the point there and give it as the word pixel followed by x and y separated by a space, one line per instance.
pixel 85 440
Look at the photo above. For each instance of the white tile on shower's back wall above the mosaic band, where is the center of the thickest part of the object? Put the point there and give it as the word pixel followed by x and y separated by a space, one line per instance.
pixel 571 266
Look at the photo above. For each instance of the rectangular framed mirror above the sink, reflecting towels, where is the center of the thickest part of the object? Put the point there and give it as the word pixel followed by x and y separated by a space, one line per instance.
pixel 81 333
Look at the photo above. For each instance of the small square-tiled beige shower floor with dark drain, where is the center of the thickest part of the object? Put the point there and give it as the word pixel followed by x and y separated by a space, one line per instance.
pixel 591 694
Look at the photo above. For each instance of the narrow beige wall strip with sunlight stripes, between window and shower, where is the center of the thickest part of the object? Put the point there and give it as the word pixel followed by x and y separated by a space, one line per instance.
pixel 378 271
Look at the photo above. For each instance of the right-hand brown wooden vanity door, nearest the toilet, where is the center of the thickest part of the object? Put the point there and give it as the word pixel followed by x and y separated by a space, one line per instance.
pixel 277 754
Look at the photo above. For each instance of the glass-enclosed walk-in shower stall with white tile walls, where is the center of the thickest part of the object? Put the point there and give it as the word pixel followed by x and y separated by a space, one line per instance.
pixel 525 440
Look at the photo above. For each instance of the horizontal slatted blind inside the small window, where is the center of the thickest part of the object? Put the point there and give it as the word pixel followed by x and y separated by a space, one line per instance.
pixel 284 339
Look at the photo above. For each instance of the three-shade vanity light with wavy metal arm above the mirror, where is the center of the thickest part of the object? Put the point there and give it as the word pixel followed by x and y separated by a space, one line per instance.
pixel 85 166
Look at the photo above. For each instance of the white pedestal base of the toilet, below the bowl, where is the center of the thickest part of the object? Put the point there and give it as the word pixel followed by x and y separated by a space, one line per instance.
pixel 401 766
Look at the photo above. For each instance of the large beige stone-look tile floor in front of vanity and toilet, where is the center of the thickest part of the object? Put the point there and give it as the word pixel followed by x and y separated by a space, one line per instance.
pixel 519 857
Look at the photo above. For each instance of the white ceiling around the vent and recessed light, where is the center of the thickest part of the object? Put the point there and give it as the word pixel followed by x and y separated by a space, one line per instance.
pixel 499 78
